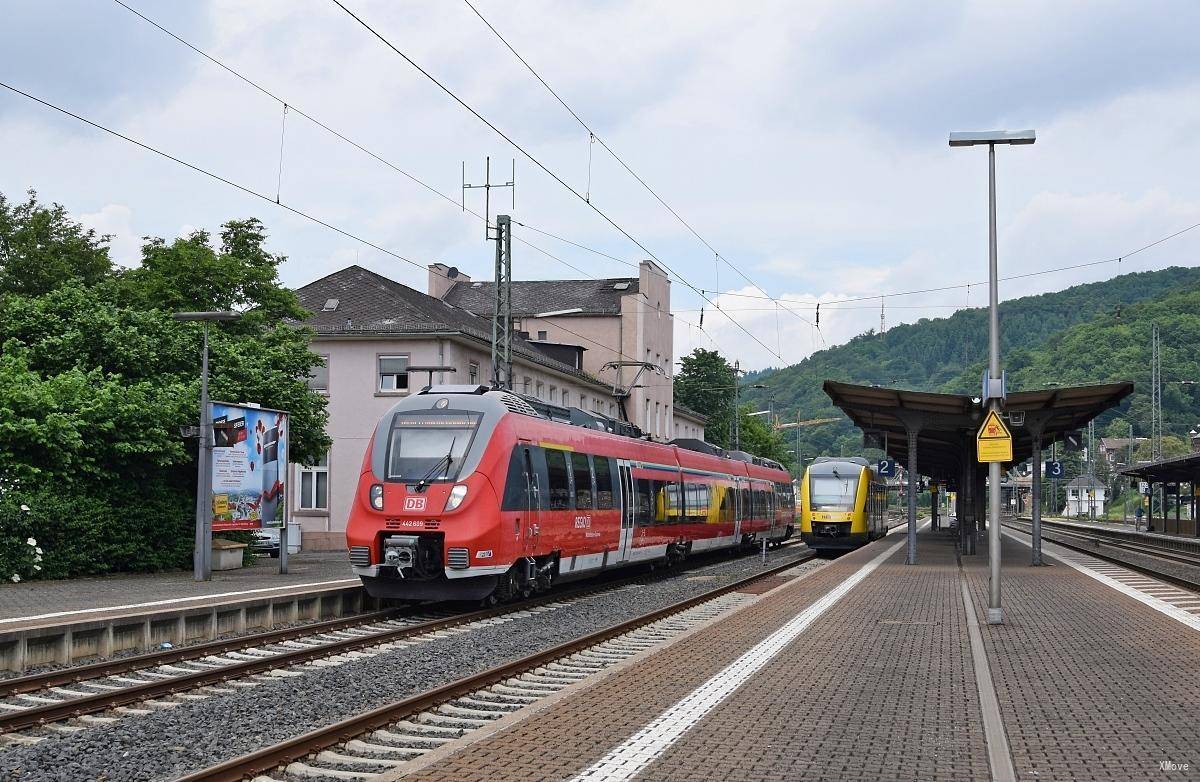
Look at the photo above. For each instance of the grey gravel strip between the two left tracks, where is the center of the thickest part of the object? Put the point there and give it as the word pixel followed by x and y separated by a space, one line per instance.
pixel 196 735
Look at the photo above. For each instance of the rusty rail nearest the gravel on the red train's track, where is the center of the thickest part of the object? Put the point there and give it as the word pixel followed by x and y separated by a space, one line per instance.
pixel 35 717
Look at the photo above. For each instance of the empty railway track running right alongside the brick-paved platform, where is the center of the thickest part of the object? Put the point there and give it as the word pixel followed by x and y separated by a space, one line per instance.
pixel 387 738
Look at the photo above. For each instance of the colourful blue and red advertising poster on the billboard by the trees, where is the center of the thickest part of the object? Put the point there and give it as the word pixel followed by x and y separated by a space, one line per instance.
pixel 250 467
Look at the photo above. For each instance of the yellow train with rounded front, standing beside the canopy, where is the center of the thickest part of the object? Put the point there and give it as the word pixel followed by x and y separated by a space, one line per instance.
pixel 843 504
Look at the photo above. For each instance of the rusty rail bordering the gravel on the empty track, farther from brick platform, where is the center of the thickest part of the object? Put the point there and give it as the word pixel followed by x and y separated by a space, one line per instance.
pixel 305 744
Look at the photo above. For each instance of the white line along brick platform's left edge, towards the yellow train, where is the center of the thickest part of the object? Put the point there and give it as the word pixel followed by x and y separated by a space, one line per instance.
pixel 640 750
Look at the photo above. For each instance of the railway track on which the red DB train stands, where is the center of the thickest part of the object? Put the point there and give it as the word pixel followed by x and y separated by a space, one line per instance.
pixel 163 681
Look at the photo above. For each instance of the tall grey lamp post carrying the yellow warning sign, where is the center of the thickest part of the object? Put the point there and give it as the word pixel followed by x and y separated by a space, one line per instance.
pixel 992 139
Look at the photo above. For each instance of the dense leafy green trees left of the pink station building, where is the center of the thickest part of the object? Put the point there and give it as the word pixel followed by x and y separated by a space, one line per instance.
pixel 97 380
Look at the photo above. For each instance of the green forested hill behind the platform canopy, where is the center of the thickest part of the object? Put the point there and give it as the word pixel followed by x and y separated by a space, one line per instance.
pixel 1085 334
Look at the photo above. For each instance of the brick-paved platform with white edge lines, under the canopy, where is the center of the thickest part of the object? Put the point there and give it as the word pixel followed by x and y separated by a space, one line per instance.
pixel 869 669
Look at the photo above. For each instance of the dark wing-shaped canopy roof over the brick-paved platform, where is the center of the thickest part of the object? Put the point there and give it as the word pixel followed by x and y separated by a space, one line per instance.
pixel 946 424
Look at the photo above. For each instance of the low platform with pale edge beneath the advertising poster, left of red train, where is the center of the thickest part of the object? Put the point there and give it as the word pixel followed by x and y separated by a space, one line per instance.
pixel 63 622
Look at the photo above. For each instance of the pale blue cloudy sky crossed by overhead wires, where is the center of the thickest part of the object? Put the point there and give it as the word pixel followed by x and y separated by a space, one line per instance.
pixel 806 142
